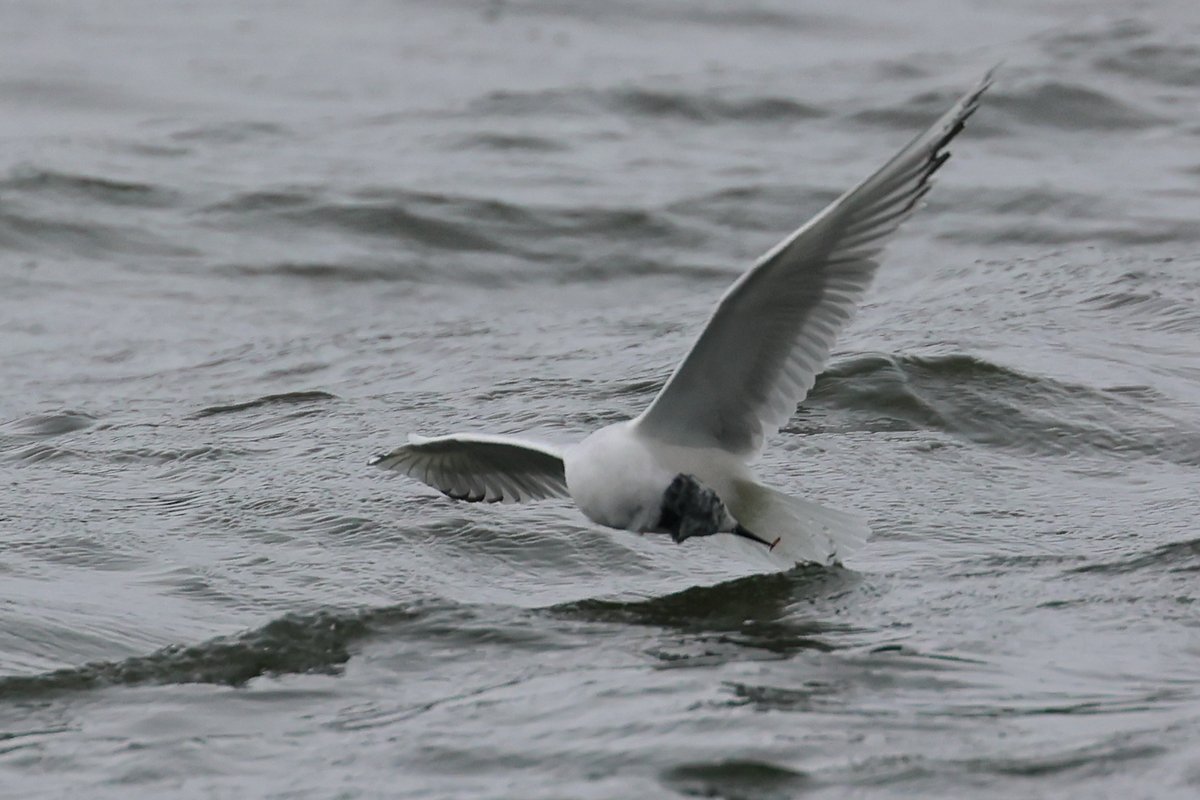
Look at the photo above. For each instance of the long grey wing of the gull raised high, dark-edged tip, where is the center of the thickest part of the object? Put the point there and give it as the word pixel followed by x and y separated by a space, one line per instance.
pixel 772 332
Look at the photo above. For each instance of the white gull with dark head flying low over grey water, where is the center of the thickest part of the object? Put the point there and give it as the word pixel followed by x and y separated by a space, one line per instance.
pixel 685 466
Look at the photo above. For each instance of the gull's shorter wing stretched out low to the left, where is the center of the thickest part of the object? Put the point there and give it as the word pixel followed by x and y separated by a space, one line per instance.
pixel 481 468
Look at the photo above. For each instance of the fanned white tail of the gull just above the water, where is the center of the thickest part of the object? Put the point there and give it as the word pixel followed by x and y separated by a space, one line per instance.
pixel 807 532
